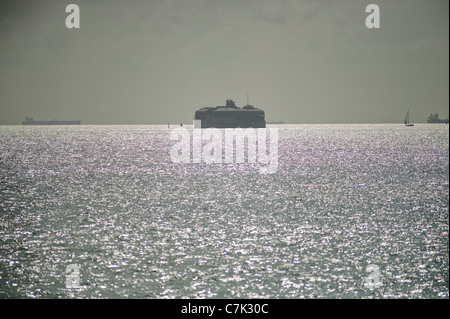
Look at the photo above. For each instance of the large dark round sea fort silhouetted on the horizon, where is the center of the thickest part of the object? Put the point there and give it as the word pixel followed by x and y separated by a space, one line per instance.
pixel 231 116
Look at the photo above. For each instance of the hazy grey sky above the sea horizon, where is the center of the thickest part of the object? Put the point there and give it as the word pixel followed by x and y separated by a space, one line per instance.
pixel 157 61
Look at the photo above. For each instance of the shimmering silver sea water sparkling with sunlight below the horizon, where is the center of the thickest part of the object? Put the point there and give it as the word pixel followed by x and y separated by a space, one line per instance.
pixel 109 199
